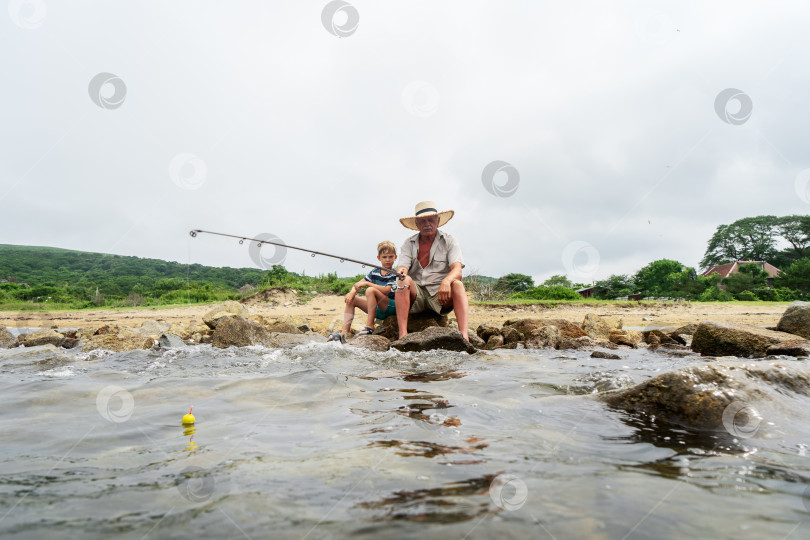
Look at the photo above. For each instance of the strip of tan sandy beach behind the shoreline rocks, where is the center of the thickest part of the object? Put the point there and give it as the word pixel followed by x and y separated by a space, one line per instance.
pixel 324 311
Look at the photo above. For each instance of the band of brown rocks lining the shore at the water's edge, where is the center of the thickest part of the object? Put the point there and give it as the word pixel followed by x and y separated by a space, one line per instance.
pixel 233 324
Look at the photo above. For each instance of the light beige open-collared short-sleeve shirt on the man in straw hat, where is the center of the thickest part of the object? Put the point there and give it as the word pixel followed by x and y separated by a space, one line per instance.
pixel 443 252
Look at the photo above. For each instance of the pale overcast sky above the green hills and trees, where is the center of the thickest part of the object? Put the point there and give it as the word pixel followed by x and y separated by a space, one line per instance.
pixel 622 132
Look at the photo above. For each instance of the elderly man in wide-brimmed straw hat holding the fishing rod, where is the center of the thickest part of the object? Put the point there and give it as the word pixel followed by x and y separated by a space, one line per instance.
pixel 429 270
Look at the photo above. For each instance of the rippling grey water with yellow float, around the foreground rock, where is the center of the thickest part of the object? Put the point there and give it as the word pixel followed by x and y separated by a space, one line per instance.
pixel 332 441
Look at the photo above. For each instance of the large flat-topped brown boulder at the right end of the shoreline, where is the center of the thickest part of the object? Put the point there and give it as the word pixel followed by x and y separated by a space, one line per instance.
pixel 730 339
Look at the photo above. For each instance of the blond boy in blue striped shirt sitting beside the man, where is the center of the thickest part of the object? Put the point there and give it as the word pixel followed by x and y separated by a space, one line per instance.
pixel 379 298
